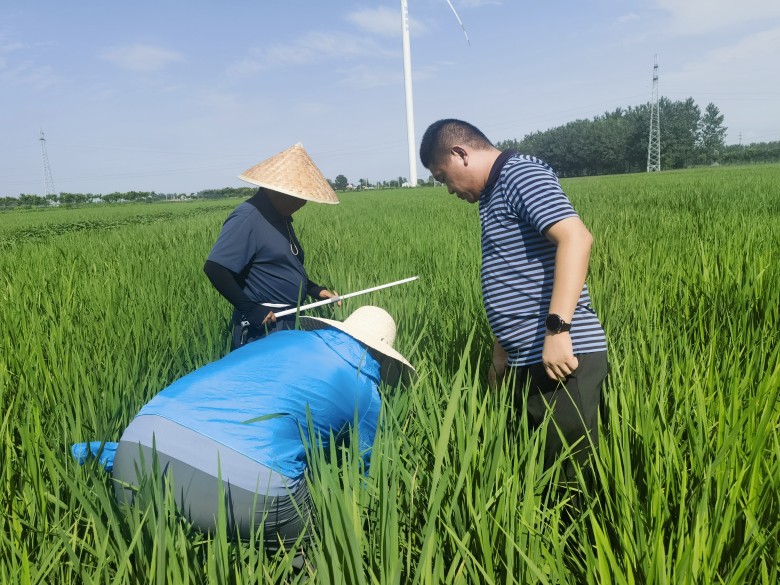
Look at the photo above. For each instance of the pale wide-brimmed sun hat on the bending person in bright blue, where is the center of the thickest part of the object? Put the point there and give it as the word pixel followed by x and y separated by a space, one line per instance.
pixel 375 328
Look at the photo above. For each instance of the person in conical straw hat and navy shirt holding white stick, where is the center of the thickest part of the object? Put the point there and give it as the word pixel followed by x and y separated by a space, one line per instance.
pixel 257 260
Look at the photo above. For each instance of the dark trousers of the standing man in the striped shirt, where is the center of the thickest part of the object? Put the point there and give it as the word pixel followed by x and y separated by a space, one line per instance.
pixel 574 402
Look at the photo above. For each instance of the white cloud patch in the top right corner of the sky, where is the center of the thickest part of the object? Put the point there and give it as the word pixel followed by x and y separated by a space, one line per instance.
pixel 704 16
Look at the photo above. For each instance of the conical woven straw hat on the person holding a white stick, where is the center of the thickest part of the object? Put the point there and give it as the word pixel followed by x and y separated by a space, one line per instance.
pixel 292 172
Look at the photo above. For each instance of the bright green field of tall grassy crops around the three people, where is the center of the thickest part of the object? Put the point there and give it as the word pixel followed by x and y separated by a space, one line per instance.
pixel 103 306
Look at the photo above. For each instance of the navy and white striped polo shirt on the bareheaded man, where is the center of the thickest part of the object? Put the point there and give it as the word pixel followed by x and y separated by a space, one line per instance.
pixel 522 200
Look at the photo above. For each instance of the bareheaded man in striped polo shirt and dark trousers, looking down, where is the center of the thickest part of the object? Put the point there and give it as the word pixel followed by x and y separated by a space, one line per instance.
pixel 535 253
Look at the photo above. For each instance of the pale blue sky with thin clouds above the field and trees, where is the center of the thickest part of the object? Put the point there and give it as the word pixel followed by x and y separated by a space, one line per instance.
pixel 175 96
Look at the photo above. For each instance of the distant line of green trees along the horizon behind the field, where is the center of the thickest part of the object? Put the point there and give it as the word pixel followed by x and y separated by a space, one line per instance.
pixel 612 143
